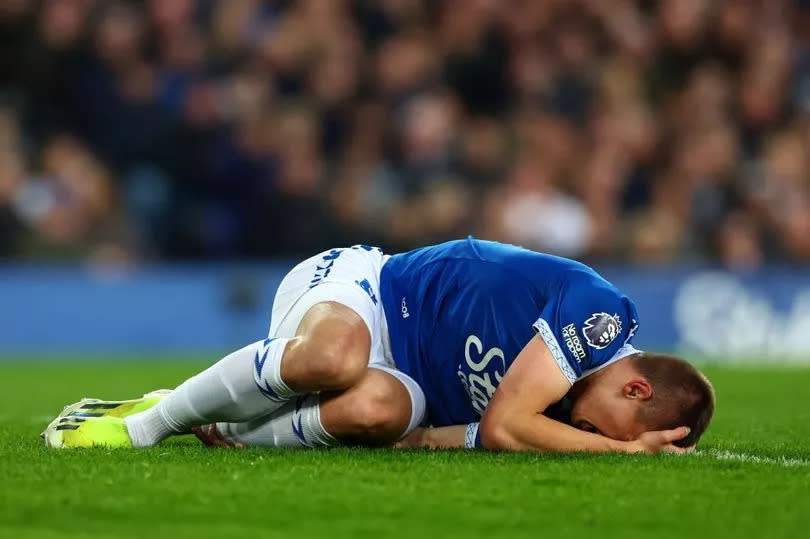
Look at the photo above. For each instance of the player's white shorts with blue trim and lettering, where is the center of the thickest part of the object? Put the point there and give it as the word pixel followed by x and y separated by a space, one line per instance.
pixel 351 277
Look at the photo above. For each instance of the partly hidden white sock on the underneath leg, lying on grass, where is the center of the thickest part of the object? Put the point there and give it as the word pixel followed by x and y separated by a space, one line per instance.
pixel 296 424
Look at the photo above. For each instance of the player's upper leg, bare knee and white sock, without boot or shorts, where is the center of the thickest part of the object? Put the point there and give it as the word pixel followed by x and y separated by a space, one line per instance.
pixel 329 352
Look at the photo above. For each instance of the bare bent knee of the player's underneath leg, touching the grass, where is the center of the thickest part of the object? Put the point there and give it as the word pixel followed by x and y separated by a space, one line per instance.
pixel 379 410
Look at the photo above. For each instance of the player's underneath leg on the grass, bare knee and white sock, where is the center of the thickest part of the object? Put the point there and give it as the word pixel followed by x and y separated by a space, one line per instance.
pixel 384 407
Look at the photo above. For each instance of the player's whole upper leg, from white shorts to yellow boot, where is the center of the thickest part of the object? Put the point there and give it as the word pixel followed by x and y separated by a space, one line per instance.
pixel 320 339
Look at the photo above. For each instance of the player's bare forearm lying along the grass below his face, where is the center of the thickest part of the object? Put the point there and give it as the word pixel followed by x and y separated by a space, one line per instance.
pixel 537 432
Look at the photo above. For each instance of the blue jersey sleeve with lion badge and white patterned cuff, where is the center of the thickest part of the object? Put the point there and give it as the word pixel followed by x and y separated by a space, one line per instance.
pixel 587 327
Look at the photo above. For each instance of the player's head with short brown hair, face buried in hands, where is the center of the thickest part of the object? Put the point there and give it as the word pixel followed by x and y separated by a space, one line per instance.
pixel 644 392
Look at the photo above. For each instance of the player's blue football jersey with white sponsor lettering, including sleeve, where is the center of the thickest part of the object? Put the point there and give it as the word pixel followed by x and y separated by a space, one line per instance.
pixel 459 313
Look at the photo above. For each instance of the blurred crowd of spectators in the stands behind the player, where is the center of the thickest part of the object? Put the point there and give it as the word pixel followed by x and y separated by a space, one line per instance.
pixel 632 130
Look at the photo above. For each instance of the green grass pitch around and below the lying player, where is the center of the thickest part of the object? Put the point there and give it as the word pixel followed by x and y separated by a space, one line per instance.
pixel 184 490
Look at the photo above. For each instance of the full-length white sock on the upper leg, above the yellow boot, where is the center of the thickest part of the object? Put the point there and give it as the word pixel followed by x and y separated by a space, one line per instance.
pixel 240 387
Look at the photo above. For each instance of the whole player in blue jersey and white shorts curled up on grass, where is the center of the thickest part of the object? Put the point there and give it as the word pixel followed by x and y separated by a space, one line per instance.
pixel 363 348
